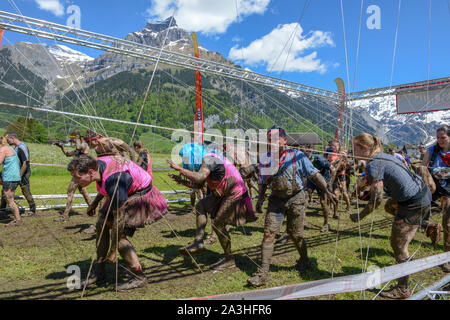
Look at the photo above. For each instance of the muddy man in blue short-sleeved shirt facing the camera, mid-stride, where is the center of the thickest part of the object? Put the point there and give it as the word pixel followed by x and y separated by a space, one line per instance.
pixel 283 169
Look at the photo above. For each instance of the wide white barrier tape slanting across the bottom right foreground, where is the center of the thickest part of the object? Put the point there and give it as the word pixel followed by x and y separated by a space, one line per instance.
pixel 343 284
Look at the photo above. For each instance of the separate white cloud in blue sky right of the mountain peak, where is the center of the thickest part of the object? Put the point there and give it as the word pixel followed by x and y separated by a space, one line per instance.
pixel 290 39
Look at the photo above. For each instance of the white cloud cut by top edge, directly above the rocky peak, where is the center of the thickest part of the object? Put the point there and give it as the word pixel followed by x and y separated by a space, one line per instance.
pixel 206 16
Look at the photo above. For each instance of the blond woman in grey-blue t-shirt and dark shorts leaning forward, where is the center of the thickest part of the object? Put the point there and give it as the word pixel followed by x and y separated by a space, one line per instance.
pixel 409 202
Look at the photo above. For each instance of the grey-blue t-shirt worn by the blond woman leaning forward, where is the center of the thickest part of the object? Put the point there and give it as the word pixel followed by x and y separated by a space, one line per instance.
pixel 398 181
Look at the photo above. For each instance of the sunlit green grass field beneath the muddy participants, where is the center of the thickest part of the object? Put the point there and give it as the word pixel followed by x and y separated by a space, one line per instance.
pixel 36 255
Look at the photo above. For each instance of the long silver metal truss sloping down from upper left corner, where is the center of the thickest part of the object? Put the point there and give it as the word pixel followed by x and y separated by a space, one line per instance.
pixel 57 32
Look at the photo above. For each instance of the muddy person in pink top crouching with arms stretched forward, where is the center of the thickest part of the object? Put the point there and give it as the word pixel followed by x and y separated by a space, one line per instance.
pixel 228 204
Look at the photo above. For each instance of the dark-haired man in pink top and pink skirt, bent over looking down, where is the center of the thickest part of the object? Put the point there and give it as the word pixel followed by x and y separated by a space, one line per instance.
pixel 131 201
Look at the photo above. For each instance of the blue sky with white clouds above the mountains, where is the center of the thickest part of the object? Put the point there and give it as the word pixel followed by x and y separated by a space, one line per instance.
pixel 315 57
